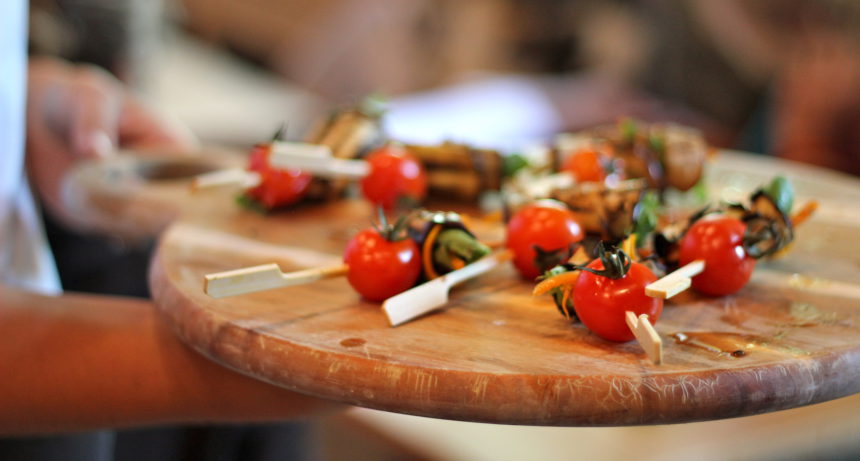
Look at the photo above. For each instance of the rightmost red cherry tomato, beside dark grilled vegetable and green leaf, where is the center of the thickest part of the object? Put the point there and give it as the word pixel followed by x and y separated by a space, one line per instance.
pixel 719 242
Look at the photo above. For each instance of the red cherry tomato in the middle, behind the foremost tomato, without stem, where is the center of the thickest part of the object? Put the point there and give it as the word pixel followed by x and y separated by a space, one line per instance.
pixel 547 224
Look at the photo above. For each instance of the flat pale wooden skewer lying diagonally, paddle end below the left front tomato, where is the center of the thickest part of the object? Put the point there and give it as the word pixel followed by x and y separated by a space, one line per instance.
pixel 431 295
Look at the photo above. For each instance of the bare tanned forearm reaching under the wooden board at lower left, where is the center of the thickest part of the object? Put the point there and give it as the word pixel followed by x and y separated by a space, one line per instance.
pixel 82 362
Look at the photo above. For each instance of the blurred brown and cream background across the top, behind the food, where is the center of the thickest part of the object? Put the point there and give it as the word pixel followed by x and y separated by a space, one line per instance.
pixel 771 76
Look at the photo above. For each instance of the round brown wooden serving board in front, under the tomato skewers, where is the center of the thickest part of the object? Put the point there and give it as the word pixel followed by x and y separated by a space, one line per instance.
pixel 497 354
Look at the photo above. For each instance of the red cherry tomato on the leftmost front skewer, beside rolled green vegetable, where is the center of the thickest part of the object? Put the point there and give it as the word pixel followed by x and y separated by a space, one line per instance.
pixel 379 268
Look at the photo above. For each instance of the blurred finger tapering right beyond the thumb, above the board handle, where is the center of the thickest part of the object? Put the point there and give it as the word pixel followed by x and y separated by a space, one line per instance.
pixel 142 127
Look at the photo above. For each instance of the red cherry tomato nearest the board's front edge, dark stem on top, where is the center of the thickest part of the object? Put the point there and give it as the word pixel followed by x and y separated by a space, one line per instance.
pixel 600 302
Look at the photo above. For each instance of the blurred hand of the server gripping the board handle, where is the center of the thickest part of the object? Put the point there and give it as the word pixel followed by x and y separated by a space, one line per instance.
pixel 81 112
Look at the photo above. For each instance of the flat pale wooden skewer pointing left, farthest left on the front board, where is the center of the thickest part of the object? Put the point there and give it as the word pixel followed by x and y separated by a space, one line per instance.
pixel 264 277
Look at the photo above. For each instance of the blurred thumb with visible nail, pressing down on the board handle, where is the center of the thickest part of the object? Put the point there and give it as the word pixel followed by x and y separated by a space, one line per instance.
pixel 94 105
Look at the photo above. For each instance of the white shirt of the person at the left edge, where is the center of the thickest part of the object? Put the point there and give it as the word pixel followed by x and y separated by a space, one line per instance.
pixel 25 259
